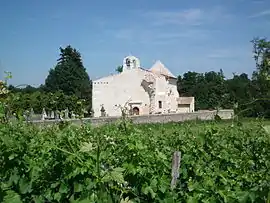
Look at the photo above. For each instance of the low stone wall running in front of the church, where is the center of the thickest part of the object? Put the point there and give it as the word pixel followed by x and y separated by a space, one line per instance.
pixel 161 118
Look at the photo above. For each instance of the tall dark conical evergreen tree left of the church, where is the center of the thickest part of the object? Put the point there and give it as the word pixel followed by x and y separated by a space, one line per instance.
pixel 70 76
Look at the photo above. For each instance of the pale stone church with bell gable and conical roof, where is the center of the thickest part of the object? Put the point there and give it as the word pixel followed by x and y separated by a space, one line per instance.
pixel 140 91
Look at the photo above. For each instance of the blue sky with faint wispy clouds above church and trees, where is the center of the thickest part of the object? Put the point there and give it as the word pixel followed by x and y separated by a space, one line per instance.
pixel 185 35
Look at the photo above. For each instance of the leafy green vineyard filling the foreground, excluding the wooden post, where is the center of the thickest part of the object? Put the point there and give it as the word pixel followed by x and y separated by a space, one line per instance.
pixel 221 162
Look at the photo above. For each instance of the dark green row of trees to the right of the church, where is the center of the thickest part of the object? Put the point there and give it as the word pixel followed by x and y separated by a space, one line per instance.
pixel 251 96
